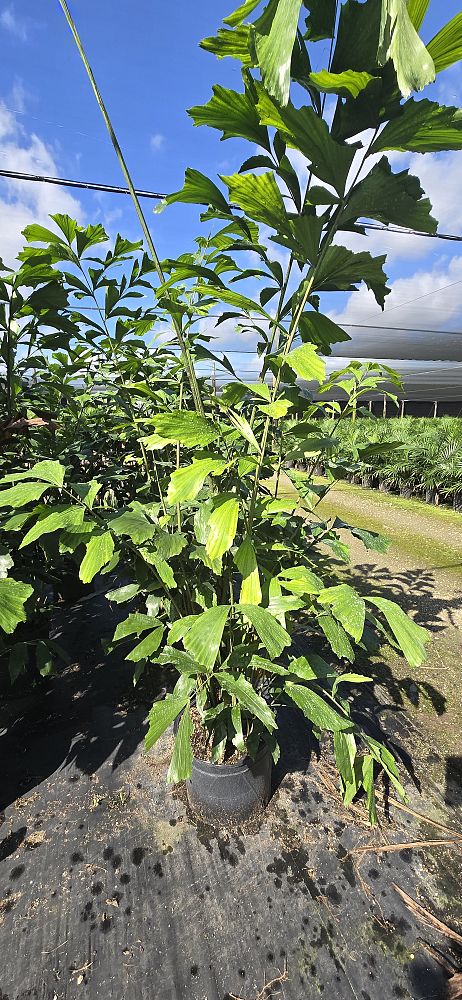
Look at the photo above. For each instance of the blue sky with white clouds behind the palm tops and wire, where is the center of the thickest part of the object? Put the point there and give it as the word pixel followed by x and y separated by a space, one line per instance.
pixel 150 68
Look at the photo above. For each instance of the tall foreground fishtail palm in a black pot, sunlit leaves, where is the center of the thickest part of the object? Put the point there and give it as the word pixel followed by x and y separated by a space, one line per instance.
pixel 219 566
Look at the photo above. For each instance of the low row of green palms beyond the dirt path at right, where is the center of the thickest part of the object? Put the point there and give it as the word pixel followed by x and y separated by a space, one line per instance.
pixel 424 457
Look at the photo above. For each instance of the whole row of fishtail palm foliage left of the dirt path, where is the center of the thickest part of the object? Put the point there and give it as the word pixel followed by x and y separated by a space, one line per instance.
pixel 122 464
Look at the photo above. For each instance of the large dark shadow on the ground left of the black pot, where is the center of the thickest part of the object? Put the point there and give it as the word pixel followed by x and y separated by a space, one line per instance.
pixel 84 714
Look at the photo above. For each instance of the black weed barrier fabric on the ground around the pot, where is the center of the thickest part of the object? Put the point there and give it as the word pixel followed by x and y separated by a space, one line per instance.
pixel 108 887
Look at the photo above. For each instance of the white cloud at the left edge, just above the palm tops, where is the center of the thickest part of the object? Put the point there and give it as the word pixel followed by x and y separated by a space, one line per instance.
pixel 24 202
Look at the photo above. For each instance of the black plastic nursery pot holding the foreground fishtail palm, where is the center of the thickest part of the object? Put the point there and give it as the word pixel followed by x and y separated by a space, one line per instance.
pixel 230 793
